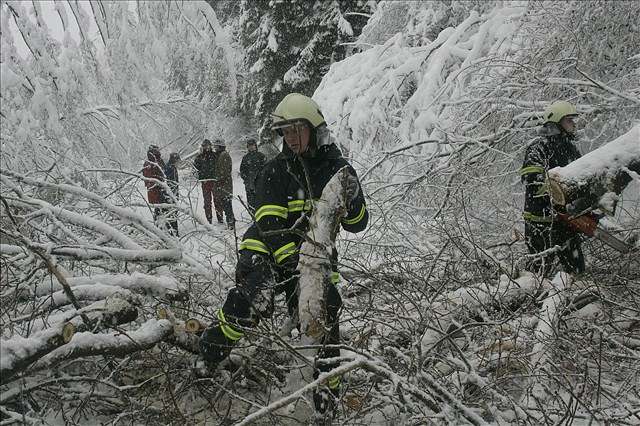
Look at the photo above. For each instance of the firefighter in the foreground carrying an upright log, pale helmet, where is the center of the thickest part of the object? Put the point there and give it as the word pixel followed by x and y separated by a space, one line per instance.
pixel 268 258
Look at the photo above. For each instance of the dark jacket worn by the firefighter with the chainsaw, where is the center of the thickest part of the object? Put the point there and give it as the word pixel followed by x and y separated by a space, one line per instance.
pixel 551 149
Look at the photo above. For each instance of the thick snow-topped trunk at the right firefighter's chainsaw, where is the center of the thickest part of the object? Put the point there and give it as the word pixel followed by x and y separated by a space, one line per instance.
pixel 599 172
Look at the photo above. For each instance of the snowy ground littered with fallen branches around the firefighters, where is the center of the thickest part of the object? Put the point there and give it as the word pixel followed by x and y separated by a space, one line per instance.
pixel 456 335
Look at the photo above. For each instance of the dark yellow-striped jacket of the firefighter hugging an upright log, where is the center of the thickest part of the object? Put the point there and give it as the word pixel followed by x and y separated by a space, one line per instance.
pixel 282 196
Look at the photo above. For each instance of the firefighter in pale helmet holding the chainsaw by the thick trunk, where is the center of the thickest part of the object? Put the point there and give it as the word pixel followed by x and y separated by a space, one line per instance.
pixel 543 228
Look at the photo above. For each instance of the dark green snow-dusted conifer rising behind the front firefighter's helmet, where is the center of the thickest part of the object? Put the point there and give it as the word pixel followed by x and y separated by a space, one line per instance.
pixel 289 47
